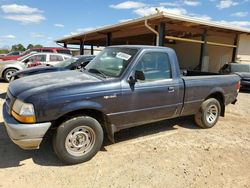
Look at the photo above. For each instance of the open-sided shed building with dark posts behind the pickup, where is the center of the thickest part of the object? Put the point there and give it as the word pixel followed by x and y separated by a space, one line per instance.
pixel 199 44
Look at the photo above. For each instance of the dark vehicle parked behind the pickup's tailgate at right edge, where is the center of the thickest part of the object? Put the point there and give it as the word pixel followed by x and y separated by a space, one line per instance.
pixel 243 70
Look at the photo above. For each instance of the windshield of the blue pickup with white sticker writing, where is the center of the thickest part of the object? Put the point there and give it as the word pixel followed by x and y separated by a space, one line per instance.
pixel 111 61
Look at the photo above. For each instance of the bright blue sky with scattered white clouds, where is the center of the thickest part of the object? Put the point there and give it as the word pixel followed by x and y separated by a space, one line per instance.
pixel 44 21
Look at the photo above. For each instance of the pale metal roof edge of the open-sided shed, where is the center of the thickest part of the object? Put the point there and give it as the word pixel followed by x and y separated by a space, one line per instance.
pixel 159 16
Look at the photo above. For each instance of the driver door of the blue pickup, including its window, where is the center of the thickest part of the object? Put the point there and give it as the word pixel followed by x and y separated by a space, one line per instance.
pixel 158 96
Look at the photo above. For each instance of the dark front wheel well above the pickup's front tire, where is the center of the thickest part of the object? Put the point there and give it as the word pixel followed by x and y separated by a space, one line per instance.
pixel 98 115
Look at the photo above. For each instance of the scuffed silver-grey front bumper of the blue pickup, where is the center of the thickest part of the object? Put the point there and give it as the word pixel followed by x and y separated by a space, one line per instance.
pixel 26 136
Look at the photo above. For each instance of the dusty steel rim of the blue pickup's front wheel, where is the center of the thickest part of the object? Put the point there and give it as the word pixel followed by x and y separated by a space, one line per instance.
pixel 80 141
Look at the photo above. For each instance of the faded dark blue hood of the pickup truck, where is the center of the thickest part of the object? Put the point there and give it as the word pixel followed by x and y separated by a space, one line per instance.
pixel 49 82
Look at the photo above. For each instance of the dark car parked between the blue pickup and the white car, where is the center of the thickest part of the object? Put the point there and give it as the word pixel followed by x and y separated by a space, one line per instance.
pixel 73 63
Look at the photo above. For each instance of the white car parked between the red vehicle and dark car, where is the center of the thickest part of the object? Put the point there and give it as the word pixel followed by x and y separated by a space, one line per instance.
pixel 7 68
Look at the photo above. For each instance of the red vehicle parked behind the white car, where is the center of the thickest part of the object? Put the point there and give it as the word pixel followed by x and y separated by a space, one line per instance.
pixel 44 49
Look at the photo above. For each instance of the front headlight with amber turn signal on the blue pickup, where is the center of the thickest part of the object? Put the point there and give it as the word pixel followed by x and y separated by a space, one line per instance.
pixel 23 112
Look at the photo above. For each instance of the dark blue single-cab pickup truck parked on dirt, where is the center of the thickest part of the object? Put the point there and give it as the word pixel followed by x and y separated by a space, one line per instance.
pixel 124 86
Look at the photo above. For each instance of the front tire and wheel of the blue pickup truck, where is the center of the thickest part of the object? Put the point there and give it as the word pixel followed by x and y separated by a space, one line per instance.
pixel 78 139
